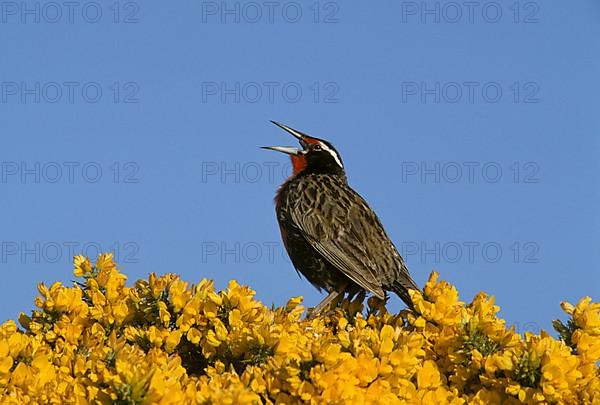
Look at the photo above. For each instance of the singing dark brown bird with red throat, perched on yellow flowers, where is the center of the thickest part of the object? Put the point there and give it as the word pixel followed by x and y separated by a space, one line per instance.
pixel 332 236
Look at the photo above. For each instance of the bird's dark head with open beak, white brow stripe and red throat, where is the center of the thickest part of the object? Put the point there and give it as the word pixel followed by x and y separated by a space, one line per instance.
pixel 316 155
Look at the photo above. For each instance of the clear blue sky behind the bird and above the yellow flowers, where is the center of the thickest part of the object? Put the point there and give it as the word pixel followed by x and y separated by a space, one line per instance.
pixel 471 130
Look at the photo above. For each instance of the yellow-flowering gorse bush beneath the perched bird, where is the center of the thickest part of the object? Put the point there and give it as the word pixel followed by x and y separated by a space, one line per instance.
pixel 164 341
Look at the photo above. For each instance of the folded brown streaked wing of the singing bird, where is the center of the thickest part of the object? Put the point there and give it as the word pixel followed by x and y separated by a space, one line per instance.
pixel 346 233
